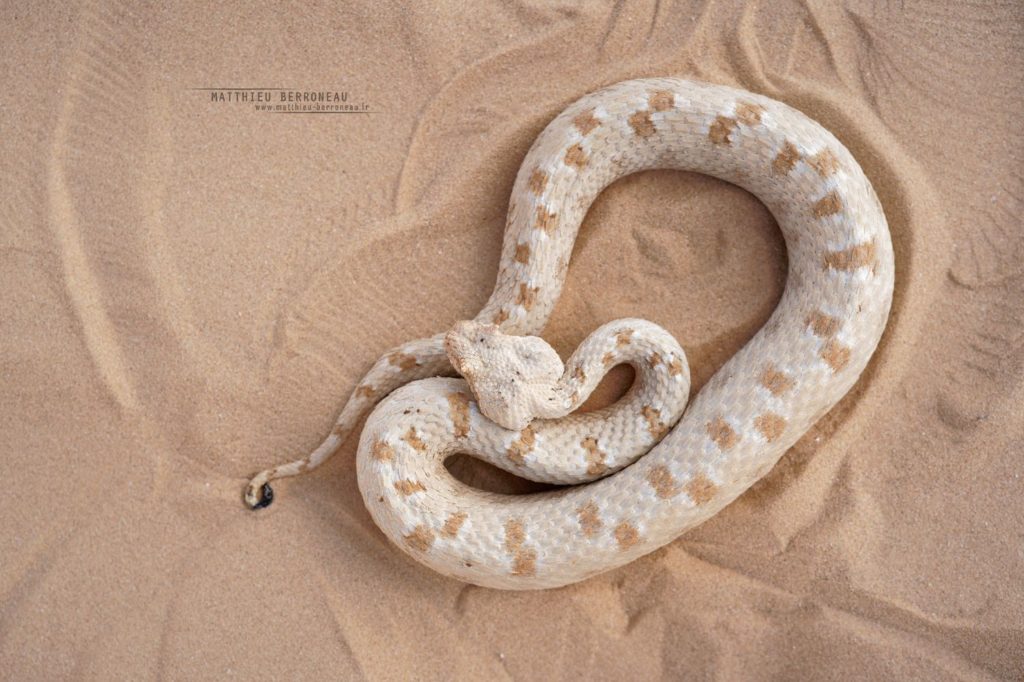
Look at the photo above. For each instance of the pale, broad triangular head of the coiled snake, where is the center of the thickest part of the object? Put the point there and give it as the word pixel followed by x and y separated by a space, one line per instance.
pixel 515 378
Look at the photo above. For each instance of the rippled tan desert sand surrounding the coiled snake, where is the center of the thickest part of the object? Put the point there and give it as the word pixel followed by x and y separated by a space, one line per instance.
pixel 192 288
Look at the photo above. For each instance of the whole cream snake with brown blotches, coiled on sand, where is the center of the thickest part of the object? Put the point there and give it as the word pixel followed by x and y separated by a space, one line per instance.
pixel 810 353
